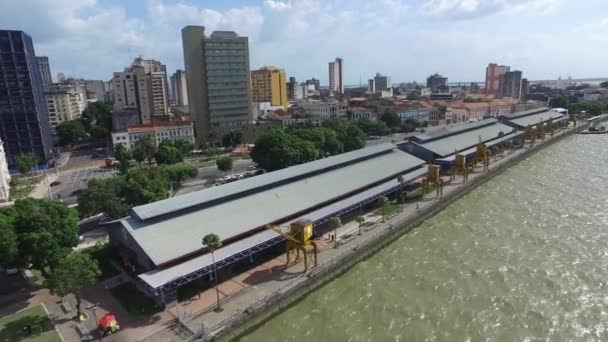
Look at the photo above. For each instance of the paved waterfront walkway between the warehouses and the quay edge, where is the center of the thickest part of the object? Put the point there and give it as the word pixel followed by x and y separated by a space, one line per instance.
pixel 249 290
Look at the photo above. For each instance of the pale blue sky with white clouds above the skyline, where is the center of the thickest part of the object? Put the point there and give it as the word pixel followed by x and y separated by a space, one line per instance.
pixel 405 39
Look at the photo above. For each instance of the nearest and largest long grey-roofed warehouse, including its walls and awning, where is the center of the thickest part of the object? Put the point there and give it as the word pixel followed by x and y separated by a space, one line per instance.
pixel 161 241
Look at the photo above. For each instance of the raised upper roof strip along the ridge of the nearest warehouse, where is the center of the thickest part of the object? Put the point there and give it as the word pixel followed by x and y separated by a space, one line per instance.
pixel 200 198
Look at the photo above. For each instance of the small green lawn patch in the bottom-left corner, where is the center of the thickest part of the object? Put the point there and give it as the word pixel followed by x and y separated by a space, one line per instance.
pixel 11 327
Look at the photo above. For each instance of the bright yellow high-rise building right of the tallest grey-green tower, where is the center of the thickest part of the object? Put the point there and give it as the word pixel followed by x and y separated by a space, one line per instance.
pixel 268 85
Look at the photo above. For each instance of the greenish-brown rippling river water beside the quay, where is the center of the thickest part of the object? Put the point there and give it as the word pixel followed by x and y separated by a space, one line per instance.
pixel 523 257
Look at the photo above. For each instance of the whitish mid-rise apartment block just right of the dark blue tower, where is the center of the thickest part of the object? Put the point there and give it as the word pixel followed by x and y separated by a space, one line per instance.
pixel 64 103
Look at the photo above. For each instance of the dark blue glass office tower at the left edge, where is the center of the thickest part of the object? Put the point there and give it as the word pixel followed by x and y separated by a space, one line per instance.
pixel 24 119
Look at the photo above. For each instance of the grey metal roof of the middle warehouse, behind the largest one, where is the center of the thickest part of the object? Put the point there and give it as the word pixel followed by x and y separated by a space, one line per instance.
pixel 459 142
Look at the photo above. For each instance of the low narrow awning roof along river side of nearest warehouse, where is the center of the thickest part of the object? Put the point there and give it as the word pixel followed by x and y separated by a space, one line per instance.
pixel 158 278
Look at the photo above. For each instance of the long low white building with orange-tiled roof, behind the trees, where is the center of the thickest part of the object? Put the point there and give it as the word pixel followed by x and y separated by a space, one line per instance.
pixel 157 133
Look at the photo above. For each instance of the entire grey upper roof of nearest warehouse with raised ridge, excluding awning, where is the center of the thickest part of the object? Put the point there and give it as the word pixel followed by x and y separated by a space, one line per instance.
pixel 170 229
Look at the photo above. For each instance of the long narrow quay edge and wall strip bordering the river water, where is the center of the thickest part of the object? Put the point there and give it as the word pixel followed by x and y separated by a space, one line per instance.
pixel 243 322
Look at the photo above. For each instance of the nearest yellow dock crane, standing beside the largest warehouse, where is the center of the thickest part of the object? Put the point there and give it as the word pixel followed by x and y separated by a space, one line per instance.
pixel 298 239
